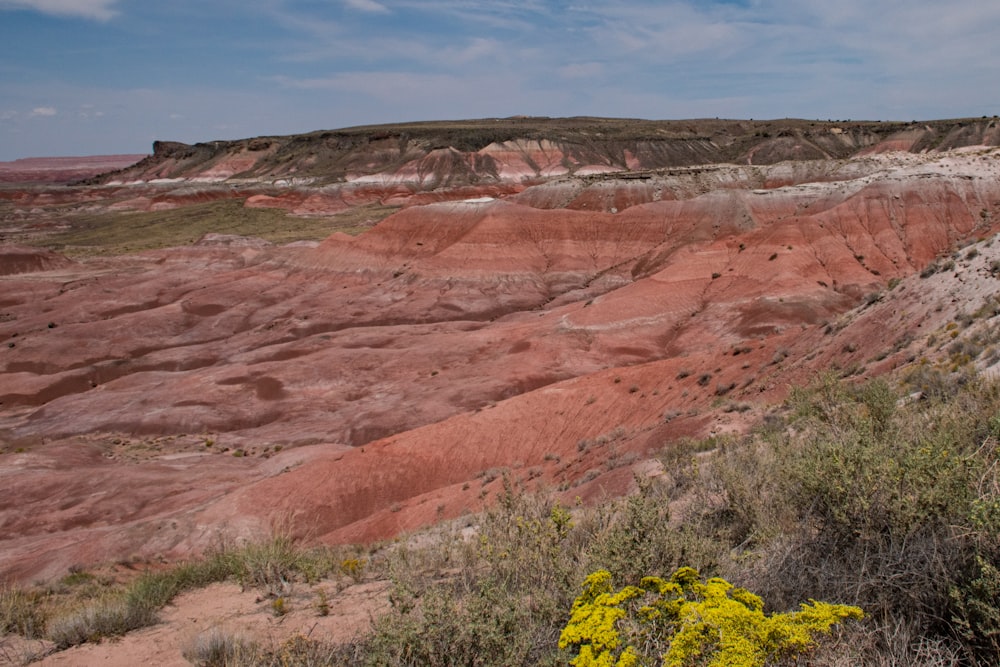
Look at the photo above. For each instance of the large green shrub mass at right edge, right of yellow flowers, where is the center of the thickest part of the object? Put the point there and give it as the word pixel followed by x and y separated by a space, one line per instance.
pixel 895 508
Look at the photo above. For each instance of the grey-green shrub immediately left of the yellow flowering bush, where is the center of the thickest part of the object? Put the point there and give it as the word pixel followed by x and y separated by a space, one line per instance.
pixel 505 602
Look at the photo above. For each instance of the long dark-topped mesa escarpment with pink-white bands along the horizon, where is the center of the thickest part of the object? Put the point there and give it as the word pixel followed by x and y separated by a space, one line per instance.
pixel 455 153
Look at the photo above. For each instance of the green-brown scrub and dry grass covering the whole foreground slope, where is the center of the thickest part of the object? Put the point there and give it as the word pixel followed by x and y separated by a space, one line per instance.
pixel 848 494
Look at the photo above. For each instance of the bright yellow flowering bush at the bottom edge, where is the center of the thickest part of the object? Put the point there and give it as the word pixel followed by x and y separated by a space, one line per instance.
pixel 687 622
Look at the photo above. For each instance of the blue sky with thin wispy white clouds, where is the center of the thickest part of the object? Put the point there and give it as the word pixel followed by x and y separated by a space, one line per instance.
pixel 97 77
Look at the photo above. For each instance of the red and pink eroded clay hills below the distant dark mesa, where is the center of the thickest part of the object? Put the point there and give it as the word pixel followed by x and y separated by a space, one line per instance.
pixel 450 340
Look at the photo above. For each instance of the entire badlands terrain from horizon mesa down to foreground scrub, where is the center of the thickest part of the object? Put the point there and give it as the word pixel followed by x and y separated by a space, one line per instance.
pixel 550 299
